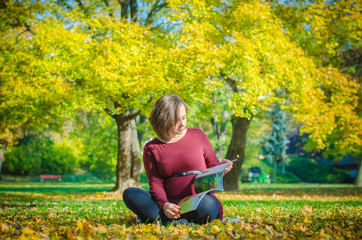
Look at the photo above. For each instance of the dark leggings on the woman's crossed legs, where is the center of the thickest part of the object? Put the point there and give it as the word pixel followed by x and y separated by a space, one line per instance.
pixel 140 202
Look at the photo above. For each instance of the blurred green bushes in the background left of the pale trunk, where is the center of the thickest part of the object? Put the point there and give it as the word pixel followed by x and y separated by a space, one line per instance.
pixel 88 143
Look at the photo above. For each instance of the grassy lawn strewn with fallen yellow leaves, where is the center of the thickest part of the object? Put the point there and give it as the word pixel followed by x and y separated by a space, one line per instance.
pixel 58 210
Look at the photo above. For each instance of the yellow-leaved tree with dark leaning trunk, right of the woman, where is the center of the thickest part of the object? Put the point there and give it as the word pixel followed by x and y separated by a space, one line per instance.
pixel 248 47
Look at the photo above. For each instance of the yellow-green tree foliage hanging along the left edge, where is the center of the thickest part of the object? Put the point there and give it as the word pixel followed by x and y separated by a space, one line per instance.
pixel 25 100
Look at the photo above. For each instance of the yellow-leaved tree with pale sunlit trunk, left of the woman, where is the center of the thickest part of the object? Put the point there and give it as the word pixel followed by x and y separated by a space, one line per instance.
pixel 110 64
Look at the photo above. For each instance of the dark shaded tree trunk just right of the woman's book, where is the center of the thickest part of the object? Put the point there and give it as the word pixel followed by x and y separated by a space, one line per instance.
pixel 236 150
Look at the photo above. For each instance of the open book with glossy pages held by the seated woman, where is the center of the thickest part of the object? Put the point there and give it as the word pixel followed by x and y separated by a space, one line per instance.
pixel 207 181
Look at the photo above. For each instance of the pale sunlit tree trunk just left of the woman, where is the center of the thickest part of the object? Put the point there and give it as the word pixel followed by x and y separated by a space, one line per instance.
pixel 129 162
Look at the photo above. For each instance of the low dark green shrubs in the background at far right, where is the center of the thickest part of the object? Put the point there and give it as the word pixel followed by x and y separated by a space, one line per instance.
pixel 309 170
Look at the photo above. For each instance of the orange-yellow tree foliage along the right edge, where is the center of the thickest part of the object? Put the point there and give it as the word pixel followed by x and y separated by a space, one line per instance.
pixel 329 32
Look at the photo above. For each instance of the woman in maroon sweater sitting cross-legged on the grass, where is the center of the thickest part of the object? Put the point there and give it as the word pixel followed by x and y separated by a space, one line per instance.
pixel 175 150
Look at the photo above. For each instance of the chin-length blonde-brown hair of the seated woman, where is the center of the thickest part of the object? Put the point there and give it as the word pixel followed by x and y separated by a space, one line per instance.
pixel 164 115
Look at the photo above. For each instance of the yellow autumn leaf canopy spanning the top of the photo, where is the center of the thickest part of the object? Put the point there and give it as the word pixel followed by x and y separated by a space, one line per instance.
pixel 95 61
